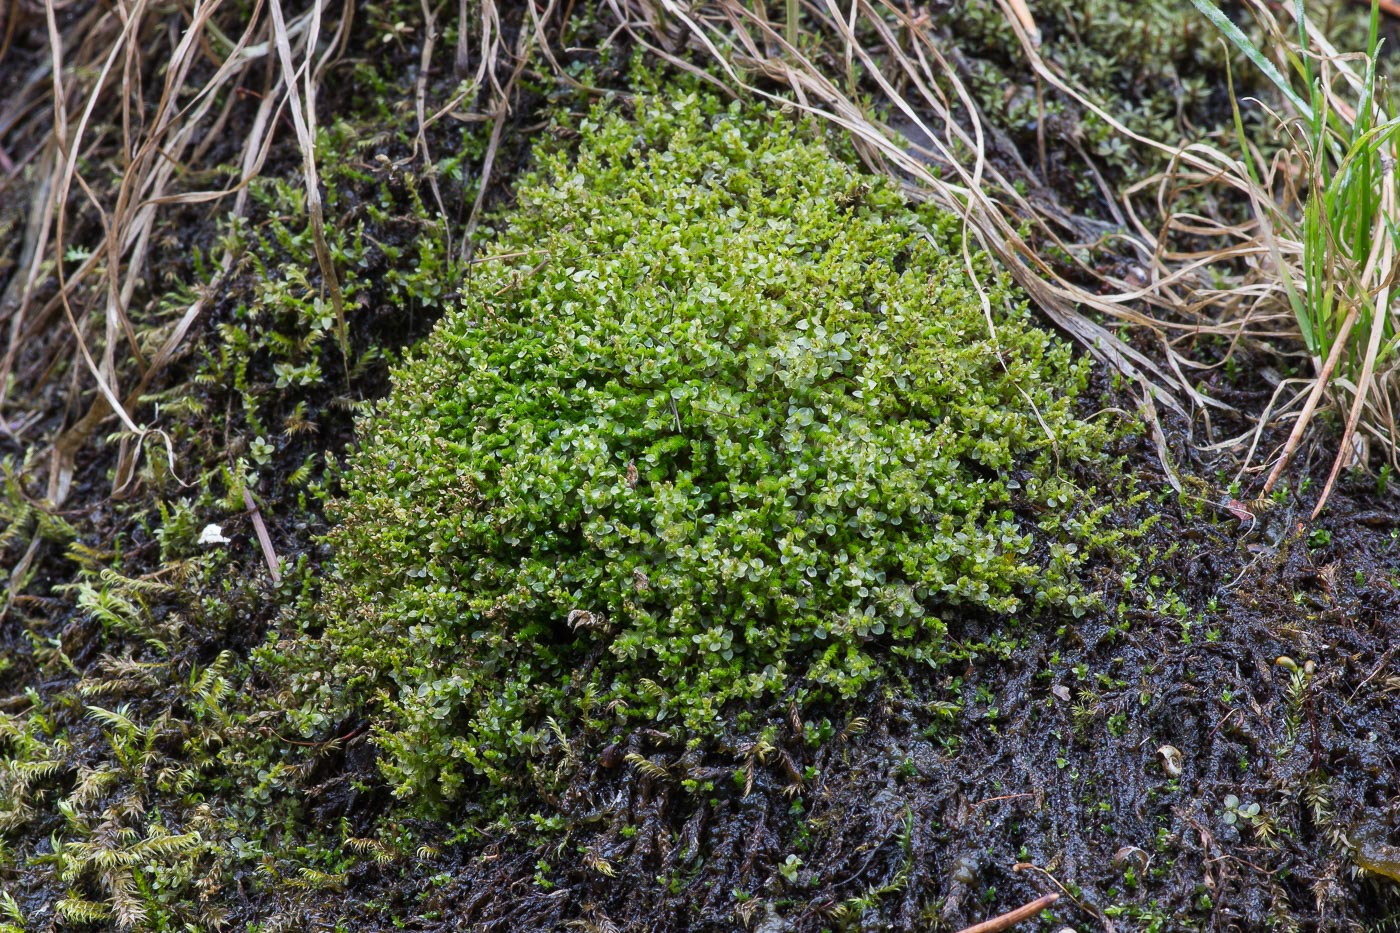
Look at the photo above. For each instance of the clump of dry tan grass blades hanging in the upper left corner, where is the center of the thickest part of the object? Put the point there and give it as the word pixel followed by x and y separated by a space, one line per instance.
pixel 99 65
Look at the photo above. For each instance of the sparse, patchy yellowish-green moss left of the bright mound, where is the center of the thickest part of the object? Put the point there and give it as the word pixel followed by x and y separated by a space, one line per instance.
pixel 135 781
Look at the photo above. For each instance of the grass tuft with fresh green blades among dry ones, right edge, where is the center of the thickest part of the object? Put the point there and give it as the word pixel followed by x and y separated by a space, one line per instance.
pixel 1328 216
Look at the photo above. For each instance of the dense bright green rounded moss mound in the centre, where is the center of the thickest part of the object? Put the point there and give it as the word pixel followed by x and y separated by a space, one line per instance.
pixel 722 420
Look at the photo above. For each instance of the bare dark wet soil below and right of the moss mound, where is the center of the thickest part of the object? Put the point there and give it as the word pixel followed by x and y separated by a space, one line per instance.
pixel 968 794
